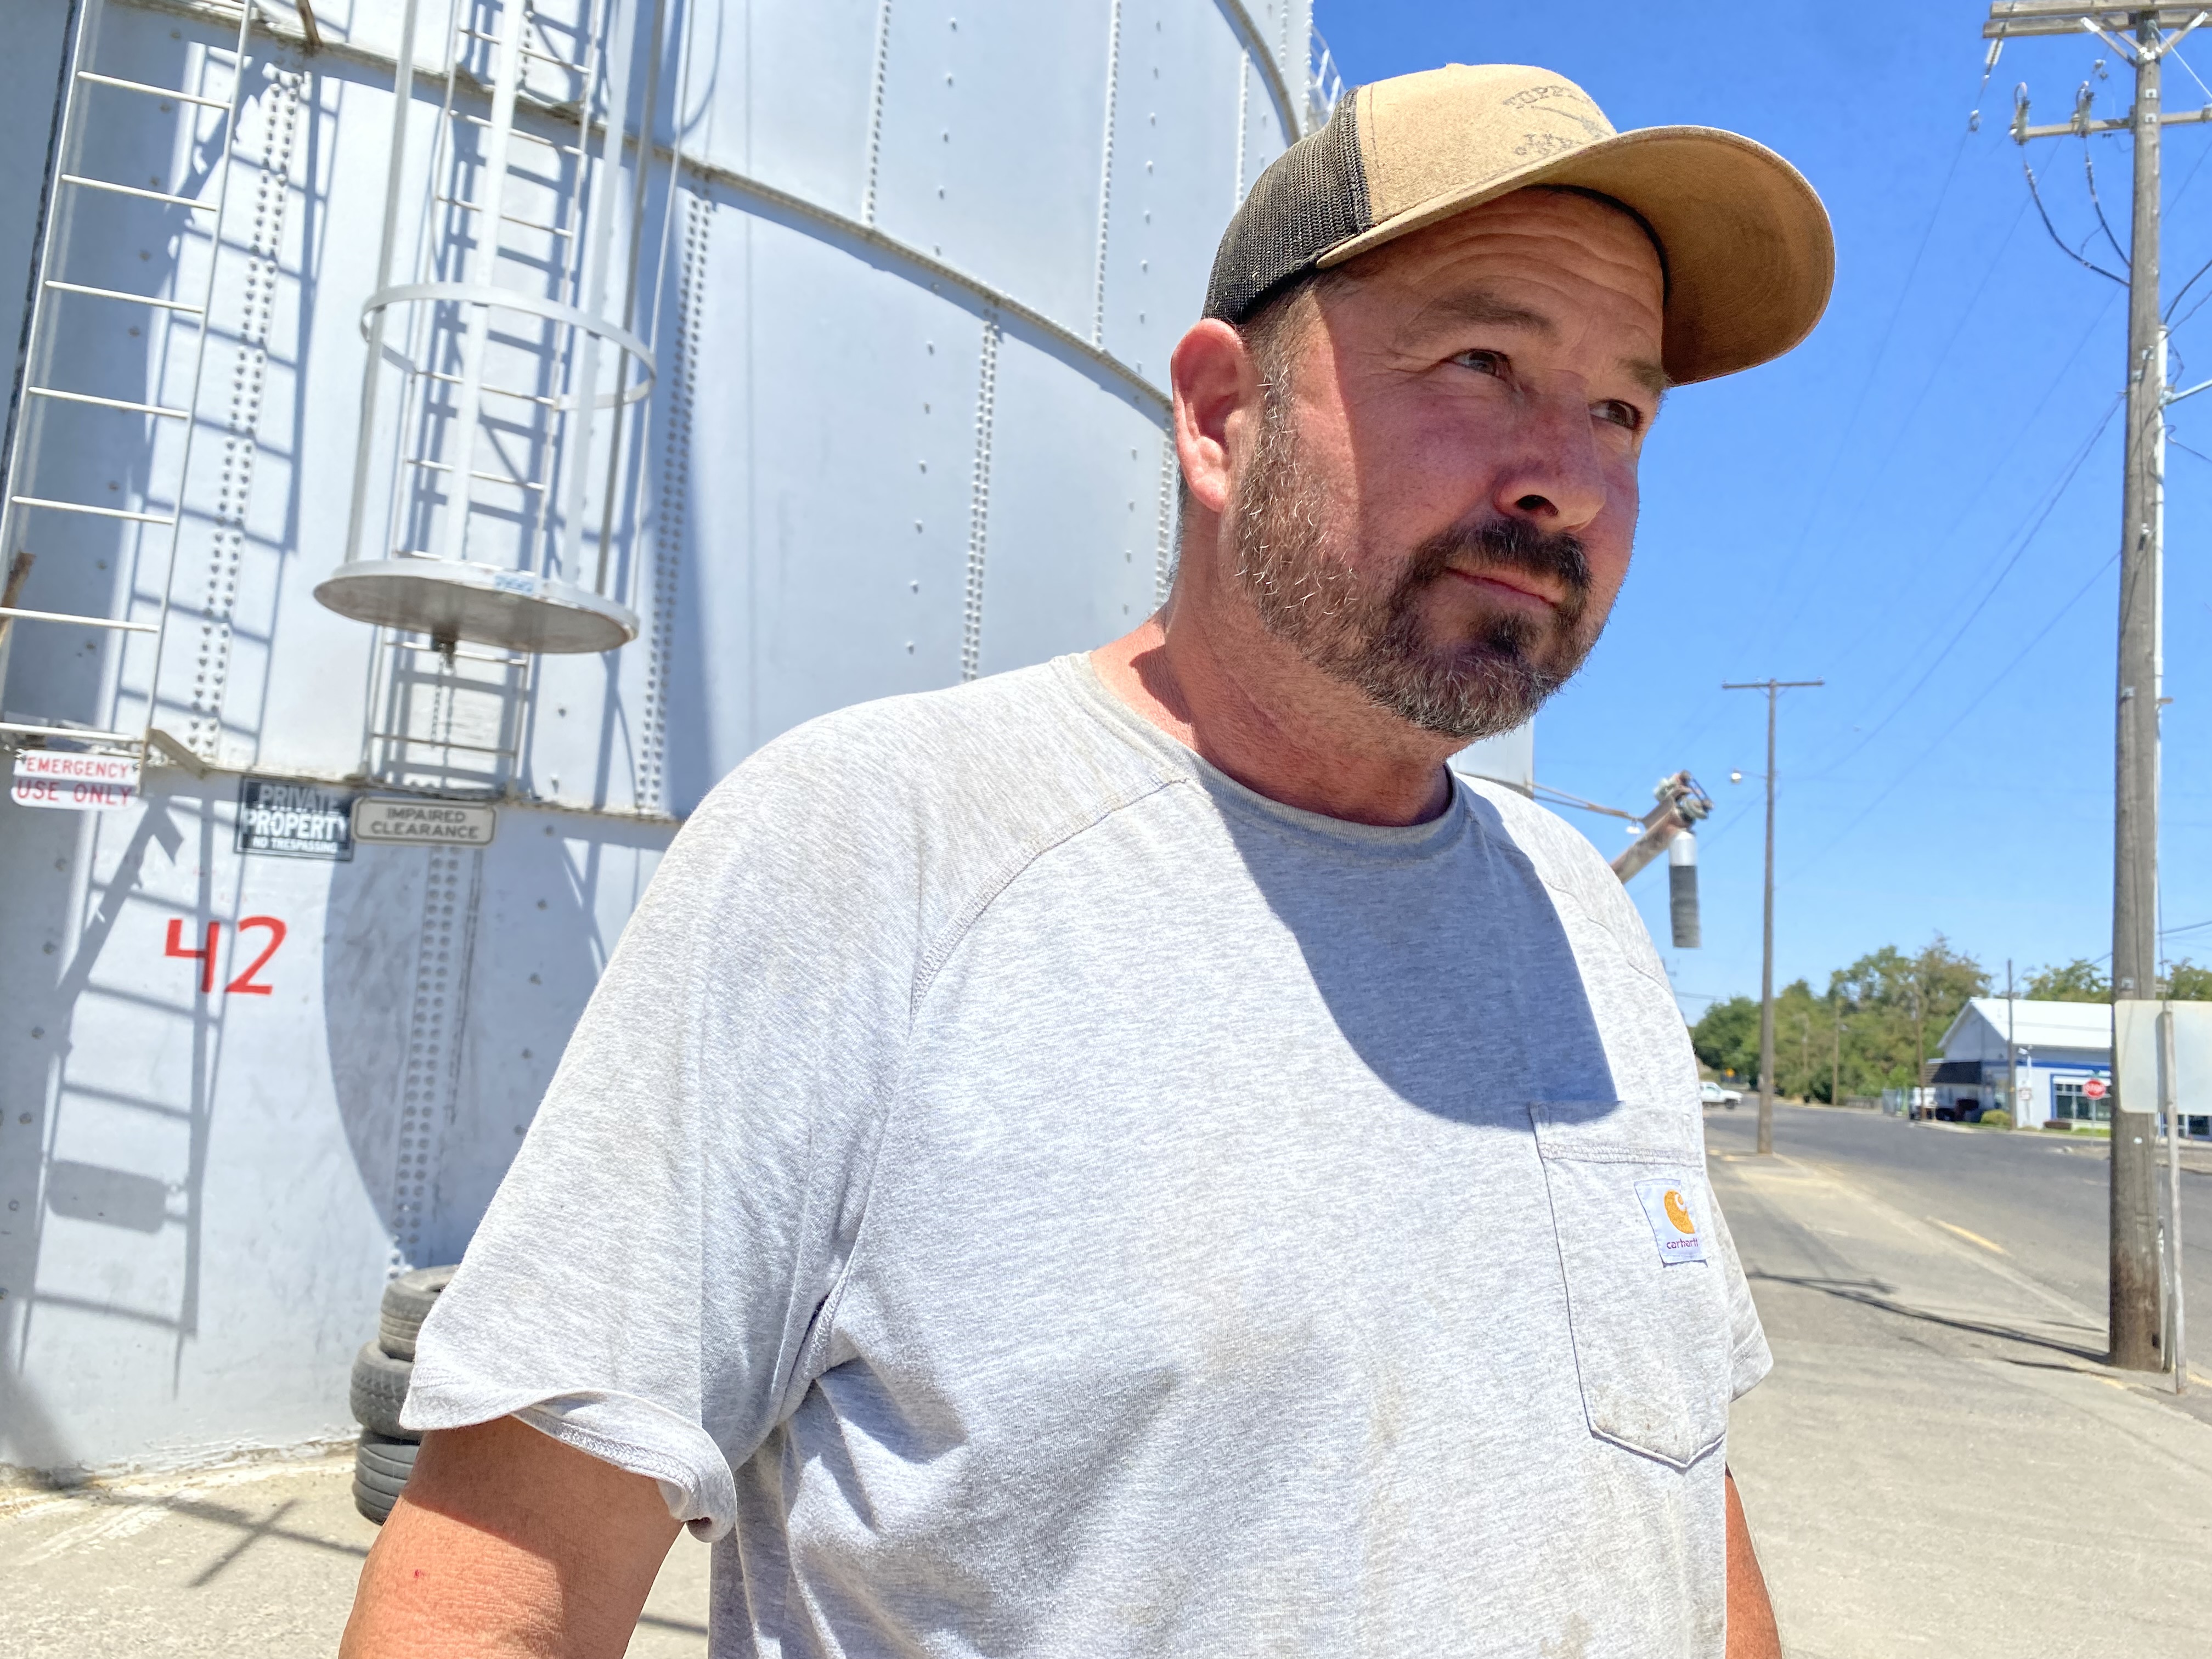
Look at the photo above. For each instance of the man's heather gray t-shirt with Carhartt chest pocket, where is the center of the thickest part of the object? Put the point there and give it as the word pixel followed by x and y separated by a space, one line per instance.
pixel 1025 1193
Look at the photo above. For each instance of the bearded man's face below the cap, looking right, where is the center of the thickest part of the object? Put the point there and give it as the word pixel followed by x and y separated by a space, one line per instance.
pixel 1443 492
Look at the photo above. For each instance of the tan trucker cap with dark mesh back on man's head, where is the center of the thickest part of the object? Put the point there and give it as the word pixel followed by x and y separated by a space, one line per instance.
pixel 1744 240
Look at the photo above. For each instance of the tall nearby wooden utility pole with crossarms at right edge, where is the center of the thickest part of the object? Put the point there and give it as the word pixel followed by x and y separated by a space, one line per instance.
pixel 2138 36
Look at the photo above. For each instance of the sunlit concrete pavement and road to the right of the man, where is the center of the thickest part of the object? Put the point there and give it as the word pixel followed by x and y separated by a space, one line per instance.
pixel 1939 1461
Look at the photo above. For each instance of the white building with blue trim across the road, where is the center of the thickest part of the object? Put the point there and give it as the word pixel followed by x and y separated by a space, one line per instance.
pixel 2063 1058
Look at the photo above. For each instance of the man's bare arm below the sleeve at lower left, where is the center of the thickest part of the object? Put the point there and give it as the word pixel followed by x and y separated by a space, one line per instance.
pixel 512 1545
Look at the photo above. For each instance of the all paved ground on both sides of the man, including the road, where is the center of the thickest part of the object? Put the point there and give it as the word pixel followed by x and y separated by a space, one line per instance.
pixel 1939 1463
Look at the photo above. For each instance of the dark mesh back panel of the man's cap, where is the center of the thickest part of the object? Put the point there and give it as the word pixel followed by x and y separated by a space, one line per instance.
pixel 1308 200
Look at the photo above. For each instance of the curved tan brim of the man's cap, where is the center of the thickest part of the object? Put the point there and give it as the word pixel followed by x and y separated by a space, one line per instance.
pixel 1749 247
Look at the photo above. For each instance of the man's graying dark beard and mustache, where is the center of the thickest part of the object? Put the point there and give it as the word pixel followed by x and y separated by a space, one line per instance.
pixel 1370 636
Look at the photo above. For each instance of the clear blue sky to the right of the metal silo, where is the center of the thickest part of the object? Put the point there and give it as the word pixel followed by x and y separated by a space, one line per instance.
pixel 1921 505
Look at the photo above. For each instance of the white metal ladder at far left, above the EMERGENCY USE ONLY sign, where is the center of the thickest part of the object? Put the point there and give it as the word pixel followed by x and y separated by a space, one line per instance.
pixel 48 366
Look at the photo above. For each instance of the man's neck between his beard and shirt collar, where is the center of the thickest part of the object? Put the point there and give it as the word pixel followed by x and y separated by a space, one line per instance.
pixel 1213 680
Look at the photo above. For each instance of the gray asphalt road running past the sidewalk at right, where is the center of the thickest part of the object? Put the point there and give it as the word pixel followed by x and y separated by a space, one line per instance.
pixel 2034 1198
